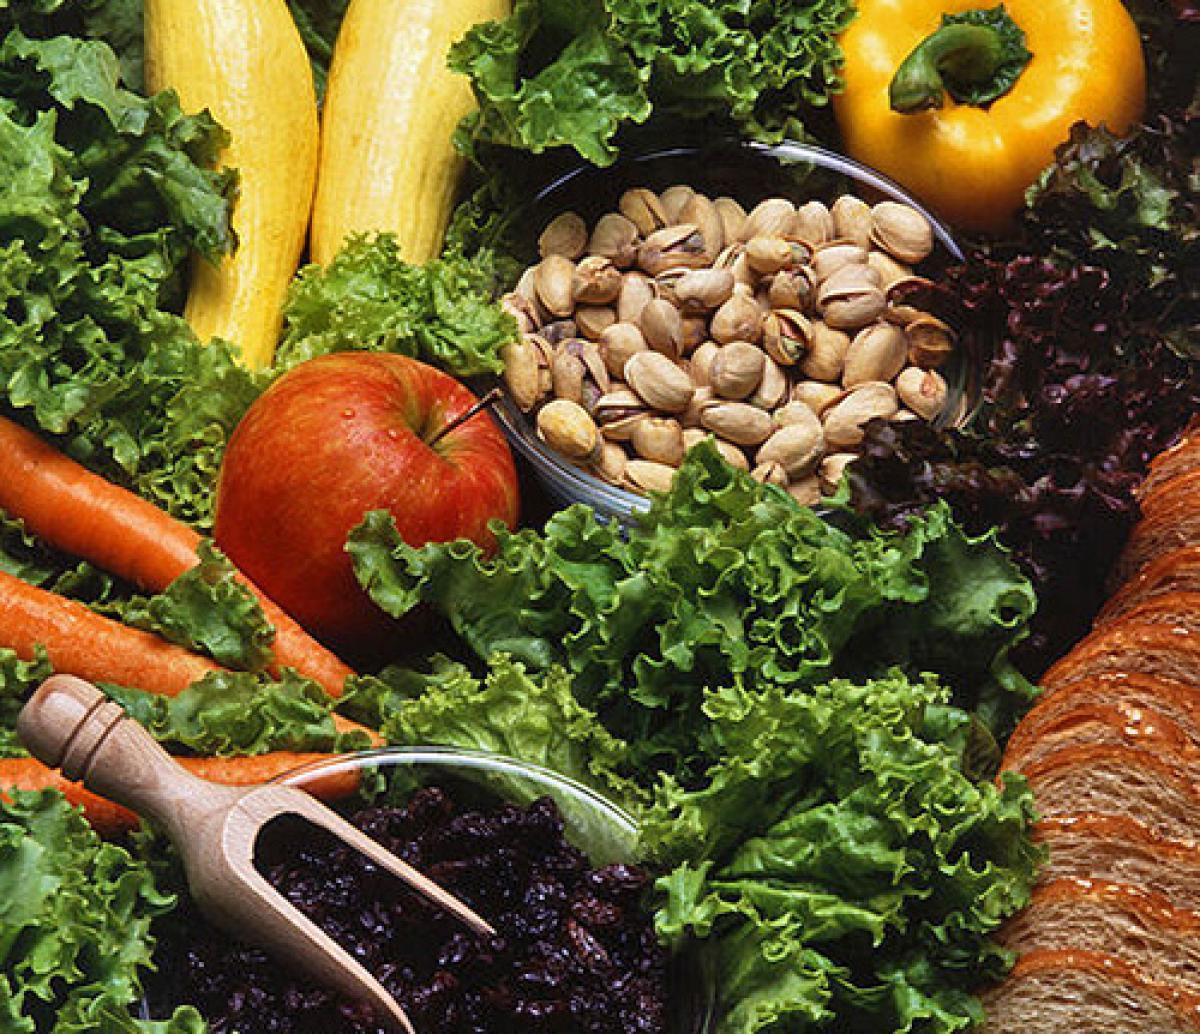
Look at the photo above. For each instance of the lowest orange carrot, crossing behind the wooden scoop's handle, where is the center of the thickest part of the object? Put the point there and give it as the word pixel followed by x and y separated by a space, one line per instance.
pixel 109 819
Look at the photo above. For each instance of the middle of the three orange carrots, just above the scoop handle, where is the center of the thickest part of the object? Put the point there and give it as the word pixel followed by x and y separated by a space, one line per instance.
pixel 81 642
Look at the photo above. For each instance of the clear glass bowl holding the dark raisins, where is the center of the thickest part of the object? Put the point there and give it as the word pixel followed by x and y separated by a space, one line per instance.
pixel 596 826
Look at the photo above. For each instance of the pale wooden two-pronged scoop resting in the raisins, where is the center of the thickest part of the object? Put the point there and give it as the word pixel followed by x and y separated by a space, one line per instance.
pixel 69 724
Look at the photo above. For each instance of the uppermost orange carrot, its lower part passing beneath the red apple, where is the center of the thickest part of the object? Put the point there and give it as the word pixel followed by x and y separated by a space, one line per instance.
pixel 82 514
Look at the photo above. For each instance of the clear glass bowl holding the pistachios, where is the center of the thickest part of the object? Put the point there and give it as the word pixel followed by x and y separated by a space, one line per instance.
pixel 749 173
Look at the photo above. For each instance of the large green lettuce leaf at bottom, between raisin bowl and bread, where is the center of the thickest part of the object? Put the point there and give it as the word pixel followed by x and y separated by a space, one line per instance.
pixel 838 861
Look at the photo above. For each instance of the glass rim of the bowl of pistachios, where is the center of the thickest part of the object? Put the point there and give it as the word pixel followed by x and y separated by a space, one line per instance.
pixel 575 485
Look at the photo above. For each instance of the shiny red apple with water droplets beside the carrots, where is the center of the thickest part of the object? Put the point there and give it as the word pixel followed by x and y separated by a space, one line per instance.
pixel 333 440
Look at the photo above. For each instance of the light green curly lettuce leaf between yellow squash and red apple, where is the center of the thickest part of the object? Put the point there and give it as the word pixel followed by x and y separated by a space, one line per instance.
pixel 370 300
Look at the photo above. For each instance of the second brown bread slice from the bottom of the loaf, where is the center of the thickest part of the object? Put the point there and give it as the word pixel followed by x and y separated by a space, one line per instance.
pixel 1141 928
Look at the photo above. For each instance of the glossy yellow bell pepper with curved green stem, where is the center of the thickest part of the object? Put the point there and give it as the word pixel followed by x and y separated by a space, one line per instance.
pixel 1017 80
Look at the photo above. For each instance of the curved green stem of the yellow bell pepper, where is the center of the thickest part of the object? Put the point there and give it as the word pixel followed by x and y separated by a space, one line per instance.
pixel 975 57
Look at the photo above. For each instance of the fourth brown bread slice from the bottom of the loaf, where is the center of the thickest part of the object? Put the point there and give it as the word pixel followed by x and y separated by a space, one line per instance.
pixel 1160 791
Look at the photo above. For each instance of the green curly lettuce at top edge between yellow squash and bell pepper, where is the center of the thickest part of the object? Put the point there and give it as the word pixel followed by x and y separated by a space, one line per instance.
pixel 574 75
